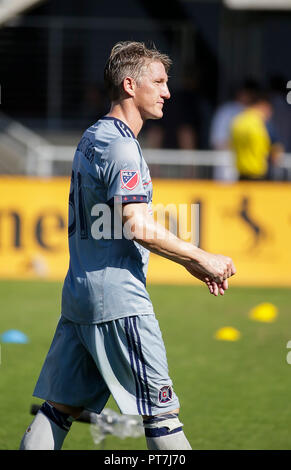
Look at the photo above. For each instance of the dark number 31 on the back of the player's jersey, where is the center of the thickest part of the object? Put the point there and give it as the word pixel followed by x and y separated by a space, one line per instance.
pixel 80 205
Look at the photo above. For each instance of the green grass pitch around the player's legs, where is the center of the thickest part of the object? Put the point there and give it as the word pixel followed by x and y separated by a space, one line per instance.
pixel 234 395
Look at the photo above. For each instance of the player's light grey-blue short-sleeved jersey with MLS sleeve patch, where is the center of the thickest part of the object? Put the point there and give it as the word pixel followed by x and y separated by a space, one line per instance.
pixel 106 279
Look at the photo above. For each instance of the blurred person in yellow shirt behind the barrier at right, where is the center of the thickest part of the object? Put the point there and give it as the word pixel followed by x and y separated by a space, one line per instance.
pixel 257 150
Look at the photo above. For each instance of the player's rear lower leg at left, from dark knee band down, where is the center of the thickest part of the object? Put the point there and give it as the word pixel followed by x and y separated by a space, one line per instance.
pixel 50 427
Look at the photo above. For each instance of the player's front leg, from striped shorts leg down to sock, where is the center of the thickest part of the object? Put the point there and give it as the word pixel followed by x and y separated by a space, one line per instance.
pixel 122 354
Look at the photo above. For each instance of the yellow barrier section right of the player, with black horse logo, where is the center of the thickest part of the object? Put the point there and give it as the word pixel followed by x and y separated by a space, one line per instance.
pixel 251 222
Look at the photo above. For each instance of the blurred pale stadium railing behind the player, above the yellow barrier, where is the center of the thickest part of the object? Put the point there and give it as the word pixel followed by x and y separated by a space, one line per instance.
pixel 36 156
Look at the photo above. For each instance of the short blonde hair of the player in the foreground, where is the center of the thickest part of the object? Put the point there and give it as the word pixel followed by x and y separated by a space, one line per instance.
pixel 128 58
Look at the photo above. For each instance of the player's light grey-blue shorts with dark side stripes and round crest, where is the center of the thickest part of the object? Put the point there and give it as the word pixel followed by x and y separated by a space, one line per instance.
pixel 124 357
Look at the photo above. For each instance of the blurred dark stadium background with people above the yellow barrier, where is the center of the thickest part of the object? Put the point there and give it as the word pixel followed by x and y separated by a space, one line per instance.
pixel 228 83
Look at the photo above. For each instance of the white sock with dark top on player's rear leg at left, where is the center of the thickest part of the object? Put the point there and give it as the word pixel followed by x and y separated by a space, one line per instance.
pixel 43 433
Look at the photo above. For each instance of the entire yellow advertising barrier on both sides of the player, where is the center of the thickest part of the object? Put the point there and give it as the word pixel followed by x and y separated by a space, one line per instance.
pixel 251 222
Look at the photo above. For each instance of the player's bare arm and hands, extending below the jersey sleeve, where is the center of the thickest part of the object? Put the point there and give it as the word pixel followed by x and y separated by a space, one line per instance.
pixel 210 268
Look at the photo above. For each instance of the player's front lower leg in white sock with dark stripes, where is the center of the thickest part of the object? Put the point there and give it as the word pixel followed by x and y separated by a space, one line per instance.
pixel 164 432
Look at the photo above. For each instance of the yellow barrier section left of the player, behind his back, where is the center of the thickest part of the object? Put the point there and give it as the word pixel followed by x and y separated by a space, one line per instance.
pixel 33 228
